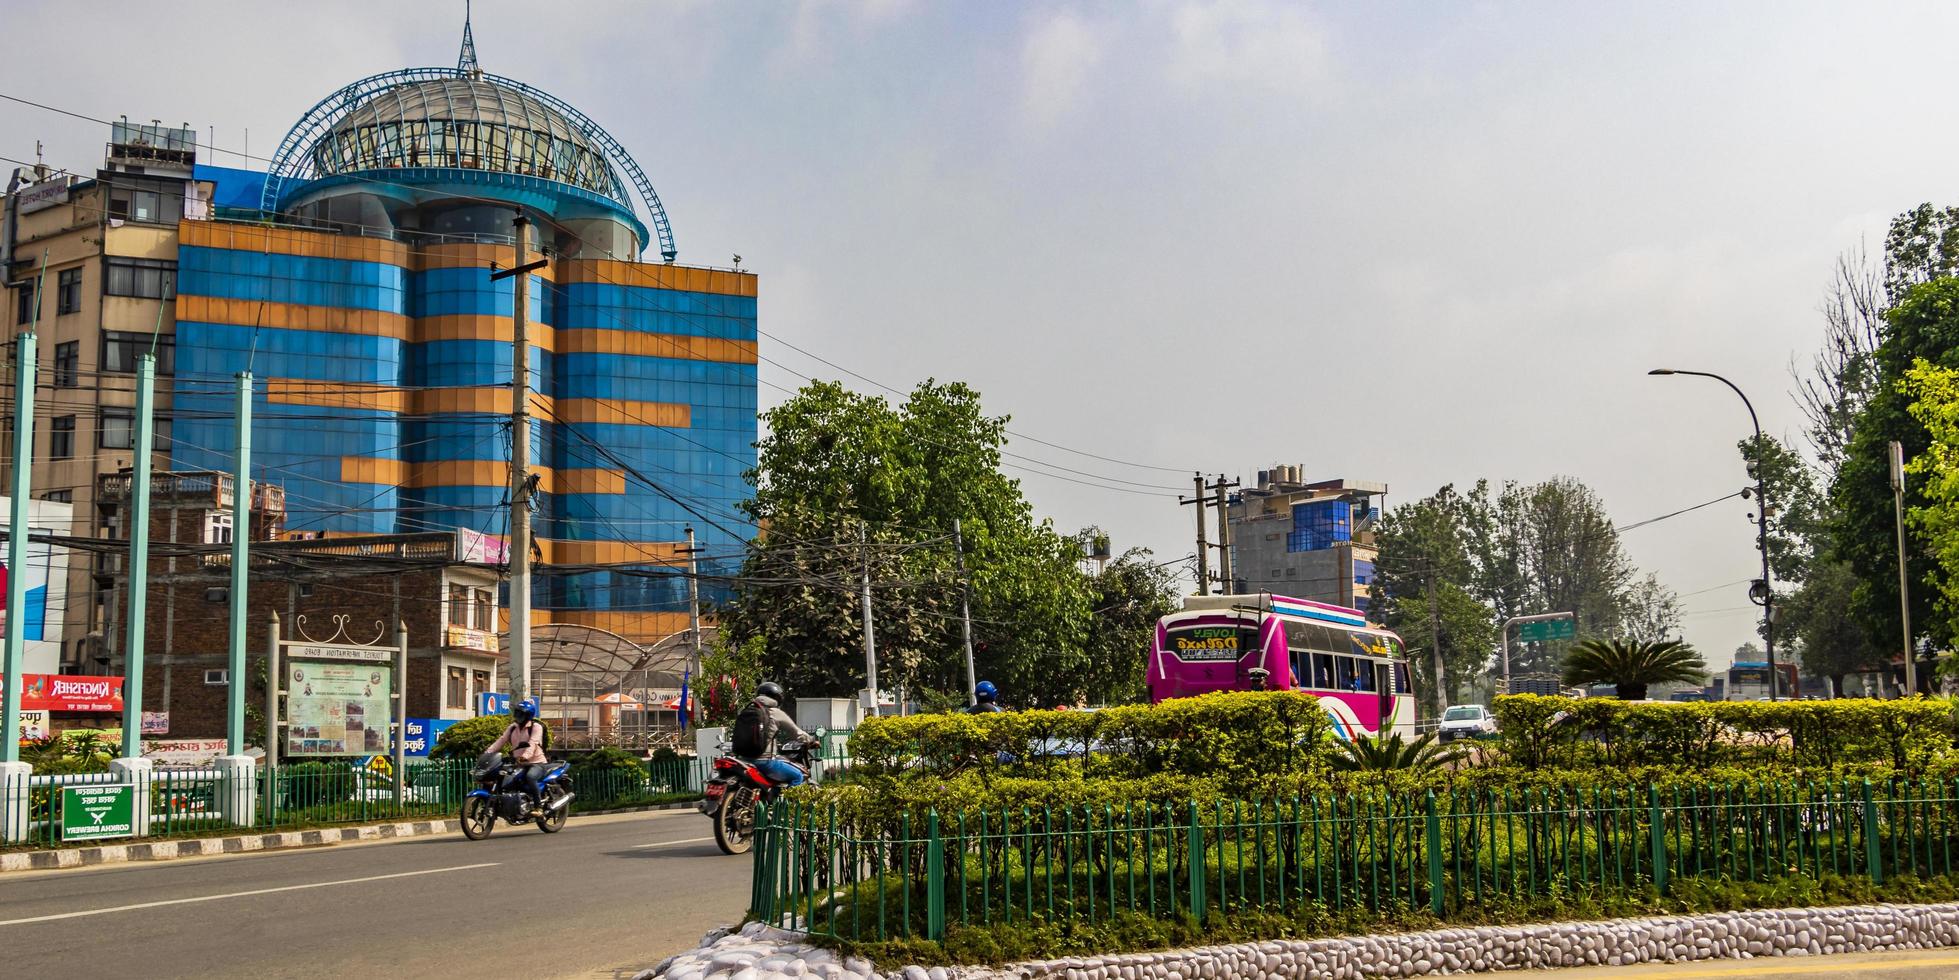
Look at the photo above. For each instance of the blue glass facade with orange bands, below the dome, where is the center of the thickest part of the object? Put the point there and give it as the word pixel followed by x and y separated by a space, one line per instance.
pixel 383 395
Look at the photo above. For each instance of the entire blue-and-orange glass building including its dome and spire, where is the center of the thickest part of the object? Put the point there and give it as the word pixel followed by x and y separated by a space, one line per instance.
pixel 358 295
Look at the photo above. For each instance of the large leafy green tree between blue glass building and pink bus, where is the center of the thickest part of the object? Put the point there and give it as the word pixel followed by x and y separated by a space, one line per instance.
pixel 849 485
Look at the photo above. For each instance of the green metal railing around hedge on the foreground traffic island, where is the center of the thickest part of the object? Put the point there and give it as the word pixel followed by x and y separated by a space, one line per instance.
pixel 1435 854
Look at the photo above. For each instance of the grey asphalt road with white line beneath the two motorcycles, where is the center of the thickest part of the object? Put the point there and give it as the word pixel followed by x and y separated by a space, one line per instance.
pixel 612 897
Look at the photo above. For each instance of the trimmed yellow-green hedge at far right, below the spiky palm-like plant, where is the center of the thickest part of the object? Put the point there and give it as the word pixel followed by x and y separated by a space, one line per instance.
pixel 1907 736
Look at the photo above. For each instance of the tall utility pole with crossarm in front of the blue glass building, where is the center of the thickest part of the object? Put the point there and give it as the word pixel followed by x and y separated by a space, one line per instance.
pixel 520 460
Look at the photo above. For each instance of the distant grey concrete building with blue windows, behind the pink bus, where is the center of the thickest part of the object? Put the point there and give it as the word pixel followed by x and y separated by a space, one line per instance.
pixel 1306 540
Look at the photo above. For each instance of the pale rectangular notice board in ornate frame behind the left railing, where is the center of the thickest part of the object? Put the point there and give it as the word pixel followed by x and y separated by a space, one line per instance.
pixel 338 709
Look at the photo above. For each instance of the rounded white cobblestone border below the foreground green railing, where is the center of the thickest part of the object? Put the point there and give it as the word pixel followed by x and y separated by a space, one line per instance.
pixel 763 954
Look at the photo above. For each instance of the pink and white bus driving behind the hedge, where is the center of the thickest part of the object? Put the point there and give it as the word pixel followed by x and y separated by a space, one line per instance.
pixel 1359 673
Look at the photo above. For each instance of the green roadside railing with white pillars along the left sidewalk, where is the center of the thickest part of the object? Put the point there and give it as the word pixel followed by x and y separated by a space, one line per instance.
pixel 34 810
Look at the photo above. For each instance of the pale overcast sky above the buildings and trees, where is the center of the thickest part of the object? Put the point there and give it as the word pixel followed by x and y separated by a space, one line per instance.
pixel 1415 244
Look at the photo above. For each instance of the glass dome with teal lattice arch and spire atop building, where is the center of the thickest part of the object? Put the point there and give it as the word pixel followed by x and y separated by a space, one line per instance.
pixel 424 134
